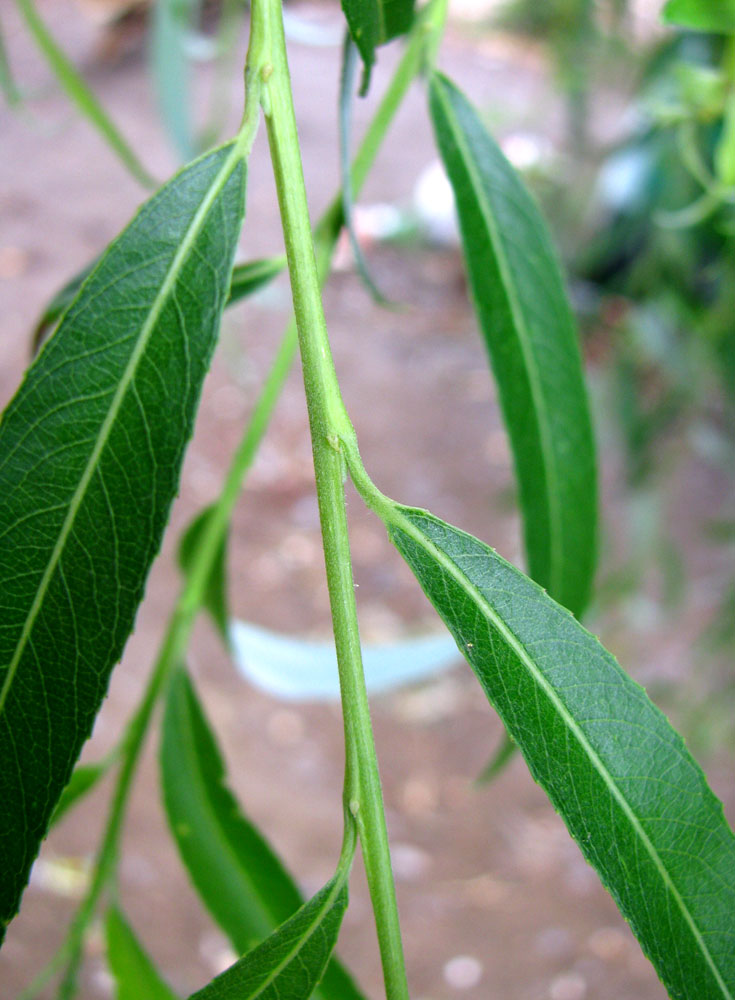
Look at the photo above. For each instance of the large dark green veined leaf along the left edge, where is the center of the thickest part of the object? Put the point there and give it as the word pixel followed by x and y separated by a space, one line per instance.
pixel 90 454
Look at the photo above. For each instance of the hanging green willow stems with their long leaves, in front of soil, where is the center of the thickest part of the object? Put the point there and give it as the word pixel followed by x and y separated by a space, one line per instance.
pixel 90 455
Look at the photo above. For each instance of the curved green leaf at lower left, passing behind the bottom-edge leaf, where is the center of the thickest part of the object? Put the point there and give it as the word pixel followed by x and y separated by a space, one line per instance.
pixel 238 876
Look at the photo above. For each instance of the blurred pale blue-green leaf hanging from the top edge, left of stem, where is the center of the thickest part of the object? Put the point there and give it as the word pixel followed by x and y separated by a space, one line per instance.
pixel 172 25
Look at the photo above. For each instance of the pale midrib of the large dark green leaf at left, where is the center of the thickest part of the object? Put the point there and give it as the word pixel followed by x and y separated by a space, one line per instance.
pixel 128 375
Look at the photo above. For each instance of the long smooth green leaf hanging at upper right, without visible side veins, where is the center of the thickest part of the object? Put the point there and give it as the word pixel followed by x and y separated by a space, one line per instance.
pixel 528 327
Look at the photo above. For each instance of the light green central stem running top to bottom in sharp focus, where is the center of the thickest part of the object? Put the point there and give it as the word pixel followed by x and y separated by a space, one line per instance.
pixel 329 423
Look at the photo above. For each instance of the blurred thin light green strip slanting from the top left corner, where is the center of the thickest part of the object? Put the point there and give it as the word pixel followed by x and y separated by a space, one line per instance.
pixel 80 93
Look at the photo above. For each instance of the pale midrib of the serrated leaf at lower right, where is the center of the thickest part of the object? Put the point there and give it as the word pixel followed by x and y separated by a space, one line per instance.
pixel 399 520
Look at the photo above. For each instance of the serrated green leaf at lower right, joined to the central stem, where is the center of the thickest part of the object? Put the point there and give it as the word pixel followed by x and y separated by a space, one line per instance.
pixel 633 798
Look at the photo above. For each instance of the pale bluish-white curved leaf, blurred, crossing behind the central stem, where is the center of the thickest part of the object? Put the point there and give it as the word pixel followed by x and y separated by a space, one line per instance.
pixel 303 669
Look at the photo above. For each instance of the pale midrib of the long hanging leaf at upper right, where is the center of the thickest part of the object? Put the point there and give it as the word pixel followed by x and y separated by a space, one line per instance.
pixel 556 557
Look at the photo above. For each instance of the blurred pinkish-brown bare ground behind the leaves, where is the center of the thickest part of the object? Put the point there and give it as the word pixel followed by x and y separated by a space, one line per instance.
pixel 489 876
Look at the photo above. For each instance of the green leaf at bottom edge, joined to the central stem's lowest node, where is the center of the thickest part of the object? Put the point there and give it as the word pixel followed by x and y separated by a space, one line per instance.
pixel 289 964
